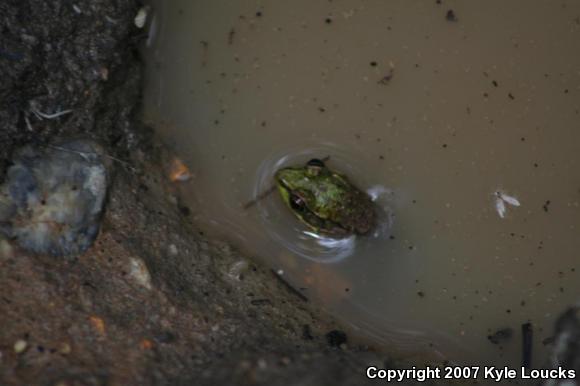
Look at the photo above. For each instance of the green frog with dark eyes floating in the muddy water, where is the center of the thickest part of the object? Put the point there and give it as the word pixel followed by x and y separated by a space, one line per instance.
pixel 325 200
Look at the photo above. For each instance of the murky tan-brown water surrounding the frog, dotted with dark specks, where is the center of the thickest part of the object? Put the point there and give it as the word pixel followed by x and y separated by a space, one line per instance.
pixel 434 111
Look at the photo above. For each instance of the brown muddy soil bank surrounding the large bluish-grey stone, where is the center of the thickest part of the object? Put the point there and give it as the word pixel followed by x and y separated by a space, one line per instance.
pixel 153 302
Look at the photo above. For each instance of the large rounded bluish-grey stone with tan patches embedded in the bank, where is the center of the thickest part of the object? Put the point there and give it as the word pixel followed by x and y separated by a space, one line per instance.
pixel 53 196
